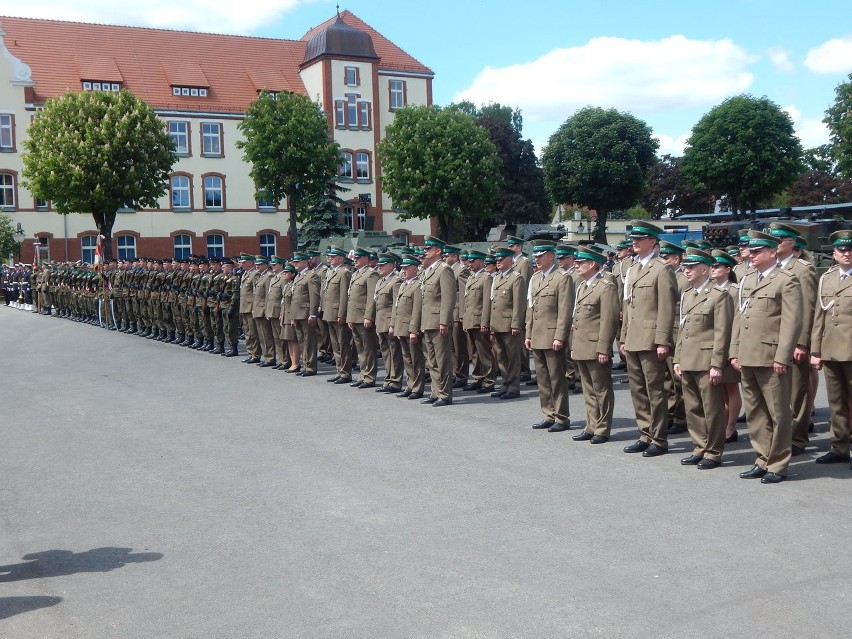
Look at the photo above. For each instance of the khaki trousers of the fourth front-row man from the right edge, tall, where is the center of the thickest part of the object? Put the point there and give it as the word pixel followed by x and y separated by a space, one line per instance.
pixel 646 376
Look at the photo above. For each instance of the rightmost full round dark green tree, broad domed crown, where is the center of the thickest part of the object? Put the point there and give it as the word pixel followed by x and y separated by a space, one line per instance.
pixel 744 148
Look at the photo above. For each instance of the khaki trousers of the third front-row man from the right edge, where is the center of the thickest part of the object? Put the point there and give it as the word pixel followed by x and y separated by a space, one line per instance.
pixel 706 418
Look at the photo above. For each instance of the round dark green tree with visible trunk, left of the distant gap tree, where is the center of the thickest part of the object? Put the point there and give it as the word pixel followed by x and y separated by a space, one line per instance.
pixel 599 158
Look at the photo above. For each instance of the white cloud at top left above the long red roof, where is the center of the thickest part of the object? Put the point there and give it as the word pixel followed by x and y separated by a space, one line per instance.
pixel 217 16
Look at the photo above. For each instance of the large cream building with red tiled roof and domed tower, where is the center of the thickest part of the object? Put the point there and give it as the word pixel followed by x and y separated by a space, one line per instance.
pixel 200 85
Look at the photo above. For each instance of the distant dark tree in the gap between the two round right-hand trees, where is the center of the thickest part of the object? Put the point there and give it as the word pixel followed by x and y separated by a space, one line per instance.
pixel 669 192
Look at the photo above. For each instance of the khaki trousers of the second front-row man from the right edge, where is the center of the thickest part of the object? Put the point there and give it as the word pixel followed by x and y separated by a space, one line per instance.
pixel 766 397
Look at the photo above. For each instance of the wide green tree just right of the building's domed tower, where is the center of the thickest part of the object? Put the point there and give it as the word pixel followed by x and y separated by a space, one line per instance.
pixel 439 163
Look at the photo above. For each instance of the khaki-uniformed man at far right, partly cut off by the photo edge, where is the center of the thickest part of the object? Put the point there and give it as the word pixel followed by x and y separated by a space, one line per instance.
pixel 831 349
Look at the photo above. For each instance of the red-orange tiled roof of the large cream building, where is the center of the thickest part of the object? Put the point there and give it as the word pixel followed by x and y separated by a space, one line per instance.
pixel 149 61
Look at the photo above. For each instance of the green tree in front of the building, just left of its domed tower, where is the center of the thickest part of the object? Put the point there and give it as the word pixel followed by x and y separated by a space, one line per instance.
pixel 291 154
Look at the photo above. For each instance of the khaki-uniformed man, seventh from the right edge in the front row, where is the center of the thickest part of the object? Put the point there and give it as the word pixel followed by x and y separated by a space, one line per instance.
pixel 505 317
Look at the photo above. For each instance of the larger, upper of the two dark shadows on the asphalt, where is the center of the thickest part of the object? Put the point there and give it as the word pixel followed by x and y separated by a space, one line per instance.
pixel 56 563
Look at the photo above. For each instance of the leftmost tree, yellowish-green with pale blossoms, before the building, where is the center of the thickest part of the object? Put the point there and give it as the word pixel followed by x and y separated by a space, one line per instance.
pixel 96 152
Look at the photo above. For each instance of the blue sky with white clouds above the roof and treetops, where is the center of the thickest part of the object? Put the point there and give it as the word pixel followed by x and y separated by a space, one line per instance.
pixel 665 62
